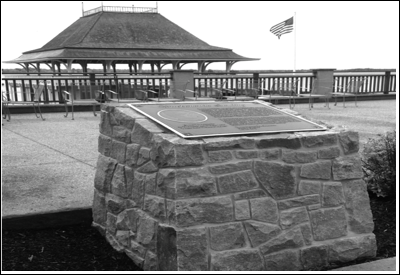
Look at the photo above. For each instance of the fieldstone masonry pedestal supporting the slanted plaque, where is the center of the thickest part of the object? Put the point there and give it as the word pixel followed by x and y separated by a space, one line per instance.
pixel 264 202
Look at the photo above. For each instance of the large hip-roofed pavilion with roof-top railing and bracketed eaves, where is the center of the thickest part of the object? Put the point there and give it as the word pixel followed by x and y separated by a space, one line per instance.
pixel 126 35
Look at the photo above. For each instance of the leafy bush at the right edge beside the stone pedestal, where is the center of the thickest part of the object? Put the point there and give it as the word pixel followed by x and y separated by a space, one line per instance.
pixel 379 165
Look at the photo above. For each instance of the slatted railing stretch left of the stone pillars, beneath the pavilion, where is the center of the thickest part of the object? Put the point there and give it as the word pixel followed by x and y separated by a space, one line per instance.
pixel 21 88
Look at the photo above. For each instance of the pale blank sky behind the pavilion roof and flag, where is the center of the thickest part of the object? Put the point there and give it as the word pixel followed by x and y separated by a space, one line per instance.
pixel 340 35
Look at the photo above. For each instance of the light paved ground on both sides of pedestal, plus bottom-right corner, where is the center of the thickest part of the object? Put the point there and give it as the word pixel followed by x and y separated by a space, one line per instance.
pixel 47 167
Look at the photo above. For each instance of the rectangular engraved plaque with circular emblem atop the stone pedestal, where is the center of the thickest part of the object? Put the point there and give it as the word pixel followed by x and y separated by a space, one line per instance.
pixel 204 119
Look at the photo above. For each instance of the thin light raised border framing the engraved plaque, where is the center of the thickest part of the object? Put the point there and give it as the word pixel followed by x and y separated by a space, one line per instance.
pixel 132 105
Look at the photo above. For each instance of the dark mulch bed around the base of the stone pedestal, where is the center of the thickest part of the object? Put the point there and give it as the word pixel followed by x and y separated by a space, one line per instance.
pixel 82 248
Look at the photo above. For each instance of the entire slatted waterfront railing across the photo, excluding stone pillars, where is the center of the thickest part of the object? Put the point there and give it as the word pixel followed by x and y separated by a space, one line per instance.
pixel 20 87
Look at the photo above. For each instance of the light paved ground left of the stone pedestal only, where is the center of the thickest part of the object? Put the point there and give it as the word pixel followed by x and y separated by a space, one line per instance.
pixel 47 166
